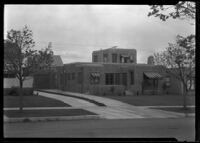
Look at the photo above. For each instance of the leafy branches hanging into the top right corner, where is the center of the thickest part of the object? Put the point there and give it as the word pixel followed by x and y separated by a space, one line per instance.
pixel 182 10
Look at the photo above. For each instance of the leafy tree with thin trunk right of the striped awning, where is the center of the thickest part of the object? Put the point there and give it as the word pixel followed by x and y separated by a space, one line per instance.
pixel 179 58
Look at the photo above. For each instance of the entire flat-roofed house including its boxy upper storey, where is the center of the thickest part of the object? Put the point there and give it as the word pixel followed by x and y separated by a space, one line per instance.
pixel 113 71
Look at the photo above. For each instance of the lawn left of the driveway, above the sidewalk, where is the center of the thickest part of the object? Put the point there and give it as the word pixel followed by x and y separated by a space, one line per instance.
pixel 33 101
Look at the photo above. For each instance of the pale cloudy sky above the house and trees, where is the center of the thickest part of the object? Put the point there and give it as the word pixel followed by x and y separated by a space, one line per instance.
pixel 77 30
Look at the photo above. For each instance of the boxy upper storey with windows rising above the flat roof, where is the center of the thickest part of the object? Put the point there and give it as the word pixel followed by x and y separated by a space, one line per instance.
pixel 114 55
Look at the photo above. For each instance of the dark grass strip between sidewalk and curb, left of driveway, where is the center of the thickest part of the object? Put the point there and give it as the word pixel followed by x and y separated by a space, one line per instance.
pixel 46 113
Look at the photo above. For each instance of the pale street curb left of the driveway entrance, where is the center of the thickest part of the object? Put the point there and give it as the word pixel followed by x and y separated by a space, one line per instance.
pixel 51 118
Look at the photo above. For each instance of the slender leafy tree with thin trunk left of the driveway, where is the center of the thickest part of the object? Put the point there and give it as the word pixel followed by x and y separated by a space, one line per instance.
pixel 19 56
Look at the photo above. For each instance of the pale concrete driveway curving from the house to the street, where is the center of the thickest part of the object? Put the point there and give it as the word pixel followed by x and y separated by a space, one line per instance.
pixel 114 109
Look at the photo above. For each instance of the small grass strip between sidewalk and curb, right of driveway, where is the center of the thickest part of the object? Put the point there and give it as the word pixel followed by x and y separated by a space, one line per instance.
pixel 179 109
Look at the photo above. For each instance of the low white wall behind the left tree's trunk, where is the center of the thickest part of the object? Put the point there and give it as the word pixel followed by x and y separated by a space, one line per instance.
pixel 10 82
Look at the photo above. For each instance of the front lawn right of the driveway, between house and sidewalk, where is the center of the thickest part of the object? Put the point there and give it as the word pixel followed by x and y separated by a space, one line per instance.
pixel 154 100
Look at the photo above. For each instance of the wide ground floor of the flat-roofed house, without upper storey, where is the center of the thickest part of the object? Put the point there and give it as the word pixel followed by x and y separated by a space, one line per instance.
pixel 112 78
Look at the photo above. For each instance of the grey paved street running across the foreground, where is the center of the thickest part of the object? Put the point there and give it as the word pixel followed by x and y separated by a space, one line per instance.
pixel 180 128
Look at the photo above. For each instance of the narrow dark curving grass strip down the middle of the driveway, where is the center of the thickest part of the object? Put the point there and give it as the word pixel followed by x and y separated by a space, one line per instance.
pixel 83 98
